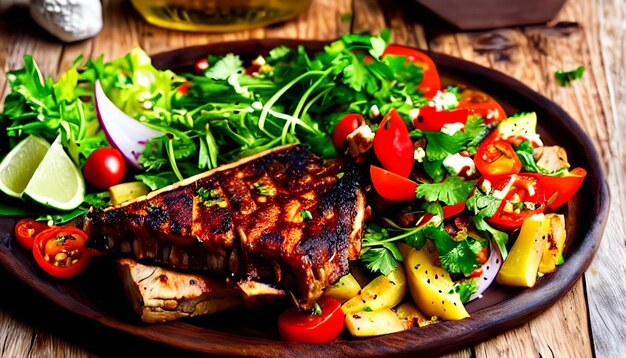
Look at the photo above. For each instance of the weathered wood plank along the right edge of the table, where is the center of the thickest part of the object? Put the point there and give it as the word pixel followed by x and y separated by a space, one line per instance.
pixel 606 278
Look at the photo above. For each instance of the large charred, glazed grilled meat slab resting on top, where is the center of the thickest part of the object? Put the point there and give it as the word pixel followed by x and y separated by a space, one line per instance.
pixel 282 217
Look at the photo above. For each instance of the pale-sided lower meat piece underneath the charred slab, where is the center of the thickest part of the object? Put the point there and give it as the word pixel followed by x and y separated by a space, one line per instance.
pixel 160 295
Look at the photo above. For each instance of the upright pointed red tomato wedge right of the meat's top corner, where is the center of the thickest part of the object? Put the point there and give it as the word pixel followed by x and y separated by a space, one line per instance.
pixel 393 145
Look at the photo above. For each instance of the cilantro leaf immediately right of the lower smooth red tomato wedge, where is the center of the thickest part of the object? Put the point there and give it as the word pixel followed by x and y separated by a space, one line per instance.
pixel 451 191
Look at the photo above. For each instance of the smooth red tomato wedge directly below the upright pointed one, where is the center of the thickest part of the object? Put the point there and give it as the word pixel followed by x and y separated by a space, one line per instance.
pixel 392 186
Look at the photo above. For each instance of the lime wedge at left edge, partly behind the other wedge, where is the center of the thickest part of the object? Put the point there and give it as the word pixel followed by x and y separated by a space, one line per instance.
pixel 20 163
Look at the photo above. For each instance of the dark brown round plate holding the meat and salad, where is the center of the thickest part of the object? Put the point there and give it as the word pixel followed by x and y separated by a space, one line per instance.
pixel 97 295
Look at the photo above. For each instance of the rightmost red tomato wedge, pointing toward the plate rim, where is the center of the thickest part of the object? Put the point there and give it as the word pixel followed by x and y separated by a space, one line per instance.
pixel 560 189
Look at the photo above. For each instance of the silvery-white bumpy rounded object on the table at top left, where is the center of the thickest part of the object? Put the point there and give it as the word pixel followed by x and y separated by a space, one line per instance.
pixel 69 20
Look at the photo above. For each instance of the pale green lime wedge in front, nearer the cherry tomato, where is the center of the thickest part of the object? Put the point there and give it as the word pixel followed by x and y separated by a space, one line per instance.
pixel 57 182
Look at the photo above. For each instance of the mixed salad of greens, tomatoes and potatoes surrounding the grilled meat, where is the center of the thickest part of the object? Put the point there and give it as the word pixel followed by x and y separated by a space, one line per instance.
pixel 461 192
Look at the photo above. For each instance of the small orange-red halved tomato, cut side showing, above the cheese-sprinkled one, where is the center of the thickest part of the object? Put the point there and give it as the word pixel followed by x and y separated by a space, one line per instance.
pixel 495 157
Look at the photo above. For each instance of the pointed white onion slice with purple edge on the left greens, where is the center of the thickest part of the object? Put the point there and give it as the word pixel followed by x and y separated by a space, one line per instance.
pixel 123 132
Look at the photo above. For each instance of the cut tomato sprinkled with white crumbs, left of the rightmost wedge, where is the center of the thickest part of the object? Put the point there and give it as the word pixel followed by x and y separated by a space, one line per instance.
pixel 523 197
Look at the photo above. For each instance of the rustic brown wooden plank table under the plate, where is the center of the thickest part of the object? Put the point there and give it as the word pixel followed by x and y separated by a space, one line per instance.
pixel 588 320
